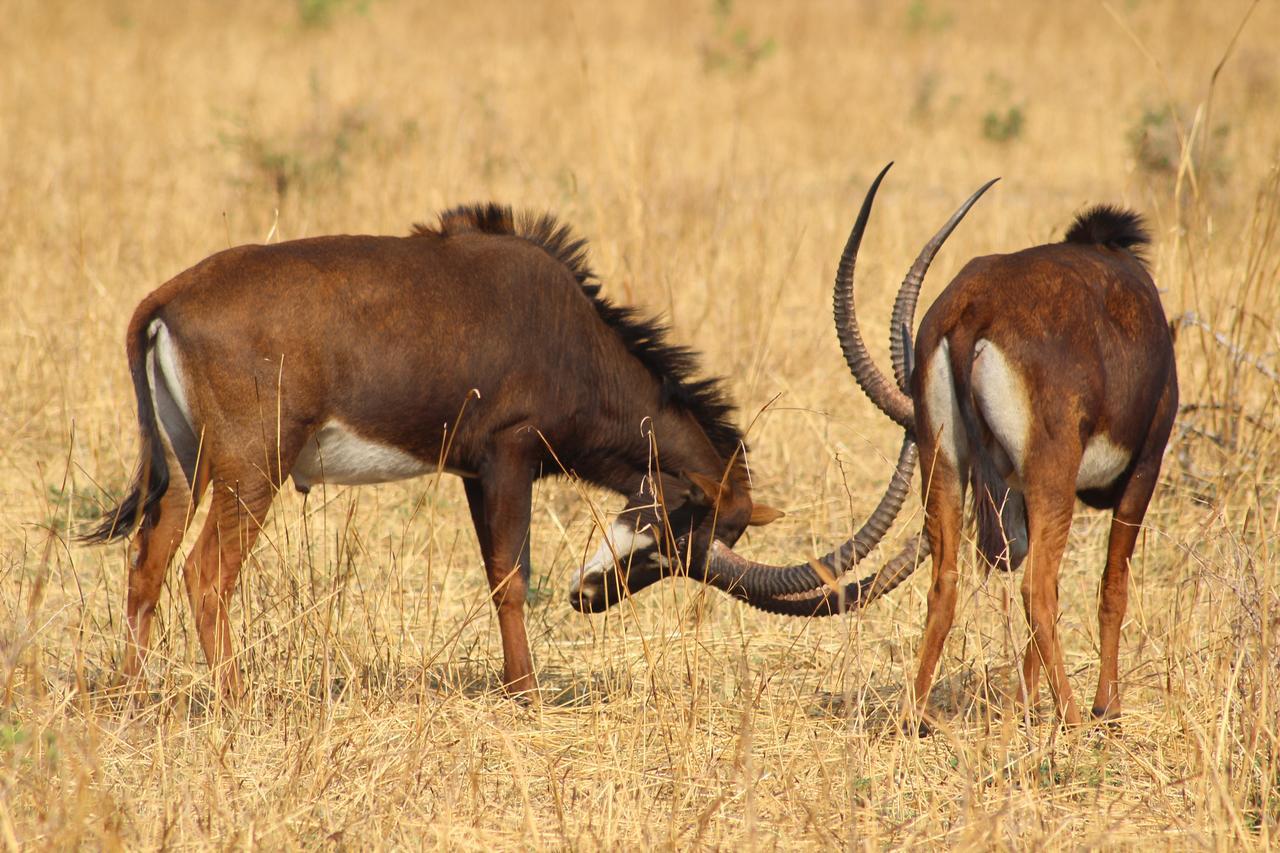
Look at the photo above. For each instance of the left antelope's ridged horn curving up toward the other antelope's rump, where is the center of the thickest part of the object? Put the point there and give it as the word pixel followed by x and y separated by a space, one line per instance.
pixel 774 589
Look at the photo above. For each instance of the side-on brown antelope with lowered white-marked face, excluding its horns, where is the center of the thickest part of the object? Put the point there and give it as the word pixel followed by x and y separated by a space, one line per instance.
pixel 481 348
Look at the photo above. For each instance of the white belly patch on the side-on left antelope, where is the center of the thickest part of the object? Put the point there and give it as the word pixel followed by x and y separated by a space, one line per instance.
pixel 339 455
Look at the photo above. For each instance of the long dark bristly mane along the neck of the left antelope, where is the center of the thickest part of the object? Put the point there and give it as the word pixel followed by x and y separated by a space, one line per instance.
pixel 673 366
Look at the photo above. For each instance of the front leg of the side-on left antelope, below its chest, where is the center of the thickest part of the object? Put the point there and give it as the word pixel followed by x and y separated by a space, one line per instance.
pixel 500 503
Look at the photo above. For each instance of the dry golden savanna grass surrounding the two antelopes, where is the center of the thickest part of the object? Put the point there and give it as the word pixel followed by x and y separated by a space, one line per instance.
pixel 715 156
